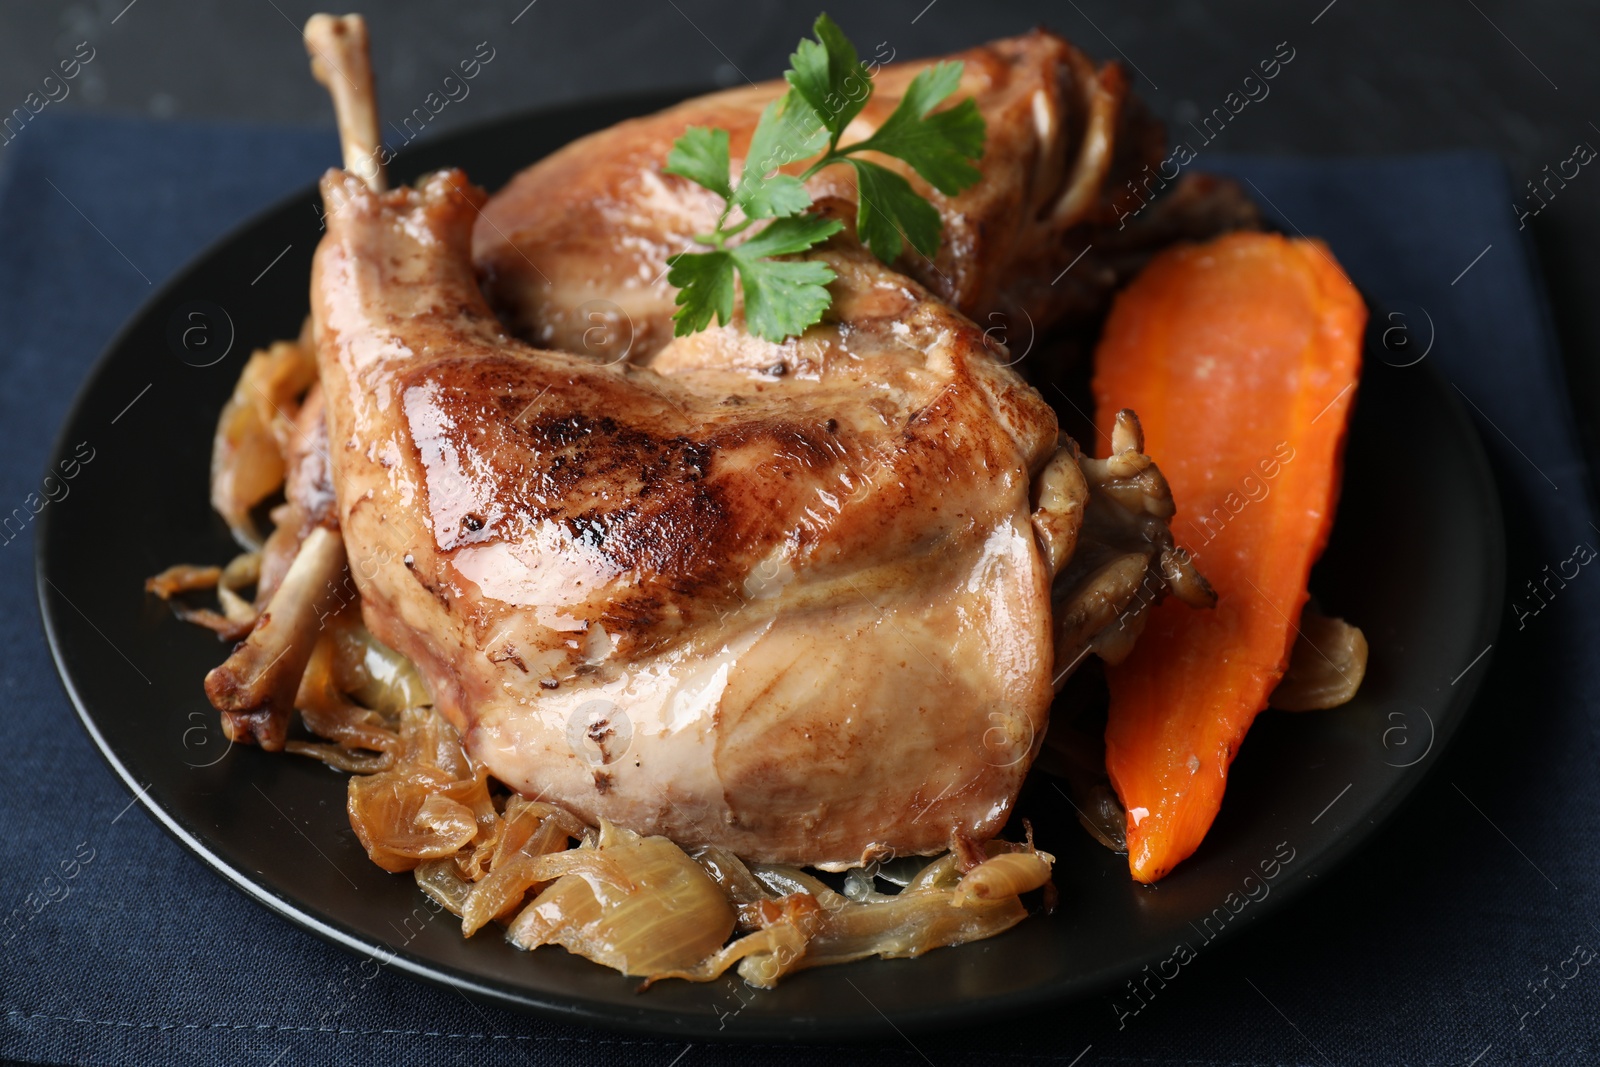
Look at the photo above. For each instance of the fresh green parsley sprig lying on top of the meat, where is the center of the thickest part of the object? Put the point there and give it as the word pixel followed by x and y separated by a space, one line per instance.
pixel 828 89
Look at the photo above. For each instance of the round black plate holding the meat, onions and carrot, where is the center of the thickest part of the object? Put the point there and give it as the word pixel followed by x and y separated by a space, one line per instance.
pixel 1417 562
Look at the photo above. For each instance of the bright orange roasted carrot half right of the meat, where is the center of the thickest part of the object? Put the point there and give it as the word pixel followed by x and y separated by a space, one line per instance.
pixel 1241 359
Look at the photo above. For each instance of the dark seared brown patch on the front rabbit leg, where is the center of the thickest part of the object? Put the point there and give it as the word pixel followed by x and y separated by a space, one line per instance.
pixel 678 513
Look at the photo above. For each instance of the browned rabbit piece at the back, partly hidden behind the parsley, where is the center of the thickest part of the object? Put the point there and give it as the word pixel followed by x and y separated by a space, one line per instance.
pixel 580 241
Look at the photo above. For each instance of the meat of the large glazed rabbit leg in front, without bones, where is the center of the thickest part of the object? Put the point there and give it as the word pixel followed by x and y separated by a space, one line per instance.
pixel 799 597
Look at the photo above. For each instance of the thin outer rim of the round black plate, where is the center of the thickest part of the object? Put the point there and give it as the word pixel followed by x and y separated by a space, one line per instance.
pixel 671 1023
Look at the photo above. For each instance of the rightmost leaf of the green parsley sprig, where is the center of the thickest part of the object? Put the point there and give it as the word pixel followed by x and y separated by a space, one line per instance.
pixel 937 146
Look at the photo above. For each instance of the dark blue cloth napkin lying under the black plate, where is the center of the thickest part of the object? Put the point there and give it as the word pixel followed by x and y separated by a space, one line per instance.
pixel 1423 949
